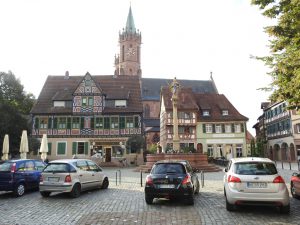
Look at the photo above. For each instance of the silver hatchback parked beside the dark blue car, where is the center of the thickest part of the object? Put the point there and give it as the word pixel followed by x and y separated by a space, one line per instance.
pixel 72 176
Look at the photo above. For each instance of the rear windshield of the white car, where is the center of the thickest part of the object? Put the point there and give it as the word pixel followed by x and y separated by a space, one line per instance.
pixel 255 168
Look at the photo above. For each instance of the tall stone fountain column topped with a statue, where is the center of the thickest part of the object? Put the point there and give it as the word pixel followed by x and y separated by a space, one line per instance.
pixel 174 99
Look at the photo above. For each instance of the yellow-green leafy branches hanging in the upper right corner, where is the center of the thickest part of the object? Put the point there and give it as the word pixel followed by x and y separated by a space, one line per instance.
pixel 284 60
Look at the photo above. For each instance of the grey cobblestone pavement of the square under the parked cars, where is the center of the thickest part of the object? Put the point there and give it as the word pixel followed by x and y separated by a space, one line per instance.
pixel 124 204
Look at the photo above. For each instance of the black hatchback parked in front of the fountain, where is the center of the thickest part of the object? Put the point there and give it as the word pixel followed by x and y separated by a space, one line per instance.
pixel 171 180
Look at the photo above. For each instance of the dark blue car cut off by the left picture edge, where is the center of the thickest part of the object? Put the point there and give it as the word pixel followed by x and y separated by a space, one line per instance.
pixel 20 175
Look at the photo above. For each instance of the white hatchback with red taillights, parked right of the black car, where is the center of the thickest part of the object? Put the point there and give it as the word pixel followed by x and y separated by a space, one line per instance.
pixel 254 181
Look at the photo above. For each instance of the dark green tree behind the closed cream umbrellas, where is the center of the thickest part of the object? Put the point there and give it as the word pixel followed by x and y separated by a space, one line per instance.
pixel 15 106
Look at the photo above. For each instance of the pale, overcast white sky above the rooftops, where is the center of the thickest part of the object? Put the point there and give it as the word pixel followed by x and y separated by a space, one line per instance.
pixel 186 39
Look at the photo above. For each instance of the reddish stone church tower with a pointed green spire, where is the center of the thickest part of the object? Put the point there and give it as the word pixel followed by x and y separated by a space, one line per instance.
pixel 128 61
